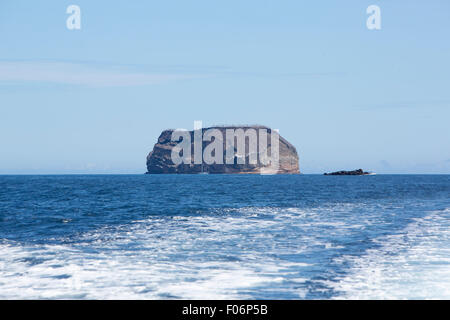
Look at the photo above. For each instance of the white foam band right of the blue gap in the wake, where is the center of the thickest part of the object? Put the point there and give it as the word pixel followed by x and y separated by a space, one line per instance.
pixel 414 264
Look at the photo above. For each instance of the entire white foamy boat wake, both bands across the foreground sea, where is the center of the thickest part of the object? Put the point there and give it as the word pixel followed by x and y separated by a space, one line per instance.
pixel 231 254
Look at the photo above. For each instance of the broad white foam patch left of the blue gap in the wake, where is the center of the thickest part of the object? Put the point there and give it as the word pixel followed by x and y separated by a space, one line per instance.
pixel 140 261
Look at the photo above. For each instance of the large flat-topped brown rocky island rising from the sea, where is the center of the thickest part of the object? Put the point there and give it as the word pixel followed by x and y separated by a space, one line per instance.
pixel 243 153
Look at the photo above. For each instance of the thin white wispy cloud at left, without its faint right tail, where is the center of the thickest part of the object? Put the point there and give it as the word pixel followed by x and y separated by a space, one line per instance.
pixel 12 72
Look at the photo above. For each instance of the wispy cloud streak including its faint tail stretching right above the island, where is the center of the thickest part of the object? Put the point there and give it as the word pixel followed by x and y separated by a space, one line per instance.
pixel 100 74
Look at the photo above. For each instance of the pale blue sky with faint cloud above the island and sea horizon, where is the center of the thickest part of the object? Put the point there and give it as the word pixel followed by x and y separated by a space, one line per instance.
pixel 96 99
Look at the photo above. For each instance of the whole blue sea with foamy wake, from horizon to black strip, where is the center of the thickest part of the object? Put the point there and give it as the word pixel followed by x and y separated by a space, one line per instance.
pixel 225 236
